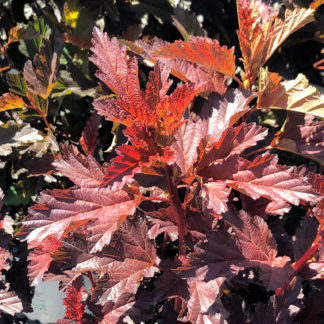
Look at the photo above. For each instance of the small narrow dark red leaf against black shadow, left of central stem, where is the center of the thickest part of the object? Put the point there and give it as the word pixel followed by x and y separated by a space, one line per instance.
pixel 89 140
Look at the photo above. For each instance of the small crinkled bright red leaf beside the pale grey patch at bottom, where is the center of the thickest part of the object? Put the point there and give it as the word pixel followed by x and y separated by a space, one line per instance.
pixel 74 307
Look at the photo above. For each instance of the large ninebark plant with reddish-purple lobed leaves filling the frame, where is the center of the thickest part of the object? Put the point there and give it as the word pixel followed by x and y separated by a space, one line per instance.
pixel 181 217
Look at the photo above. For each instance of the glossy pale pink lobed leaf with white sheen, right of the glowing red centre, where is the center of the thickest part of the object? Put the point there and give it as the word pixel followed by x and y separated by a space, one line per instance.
pixel 197 137
